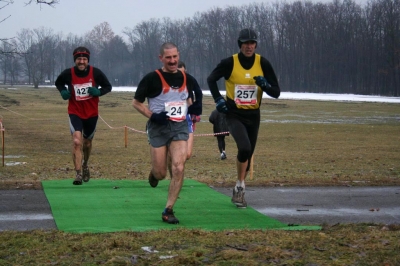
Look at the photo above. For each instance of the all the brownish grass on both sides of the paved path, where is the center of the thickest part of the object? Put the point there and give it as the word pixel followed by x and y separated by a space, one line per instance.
pixel 301 143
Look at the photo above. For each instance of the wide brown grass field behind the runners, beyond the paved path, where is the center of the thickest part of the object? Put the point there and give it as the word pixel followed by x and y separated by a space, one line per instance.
pixel 302 143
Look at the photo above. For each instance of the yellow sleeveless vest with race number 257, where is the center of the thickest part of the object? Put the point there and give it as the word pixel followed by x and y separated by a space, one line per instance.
pixel 241 84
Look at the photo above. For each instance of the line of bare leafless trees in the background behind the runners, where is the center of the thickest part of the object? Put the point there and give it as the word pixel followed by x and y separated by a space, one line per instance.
pixel 335 47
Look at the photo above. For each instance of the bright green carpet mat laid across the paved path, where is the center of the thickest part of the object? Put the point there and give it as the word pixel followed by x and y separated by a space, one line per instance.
pixel 127 205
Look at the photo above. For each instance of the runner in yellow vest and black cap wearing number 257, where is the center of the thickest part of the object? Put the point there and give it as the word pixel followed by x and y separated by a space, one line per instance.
pixel 247 75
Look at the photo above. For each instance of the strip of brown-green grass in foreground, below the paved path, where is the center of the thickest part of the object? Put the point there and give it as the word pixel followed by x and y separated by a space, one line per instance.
pixel 360 244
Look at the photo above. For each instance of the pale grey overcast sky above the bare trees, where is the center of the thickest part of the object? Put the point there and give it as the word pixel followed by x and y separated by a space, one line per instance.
pixel 80 16
